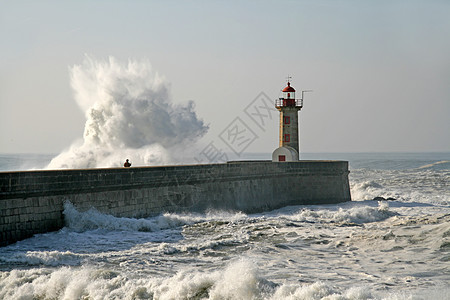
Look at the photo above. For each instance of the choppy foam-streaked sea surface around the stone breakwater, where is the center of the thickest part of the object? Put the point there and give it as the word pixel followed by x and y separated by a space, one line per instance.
pixel 364 249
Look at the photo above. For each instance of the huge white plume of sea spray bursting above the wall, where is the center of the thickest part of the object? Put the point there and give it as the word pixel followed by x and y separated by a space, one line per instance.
pixel 129 114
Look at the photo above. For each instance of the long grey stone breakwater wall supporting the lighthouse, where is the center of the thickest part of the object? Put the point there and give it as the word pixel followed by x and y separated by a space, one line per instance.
pixel 32 201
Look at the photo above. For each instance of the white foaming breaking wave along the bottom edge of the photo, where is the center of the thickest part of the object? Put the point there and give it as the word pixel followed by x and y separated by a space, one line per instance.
pixel 240 279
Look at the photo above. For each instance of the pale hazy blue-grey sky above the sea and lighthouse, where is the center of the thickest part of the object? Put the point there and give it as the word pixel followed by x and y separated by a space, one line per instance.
pixel 379 70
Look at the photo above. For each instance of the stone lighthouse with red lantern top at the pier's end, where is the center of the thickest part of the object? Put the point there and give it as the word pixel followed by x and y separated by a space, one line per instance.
pixel 288 107
